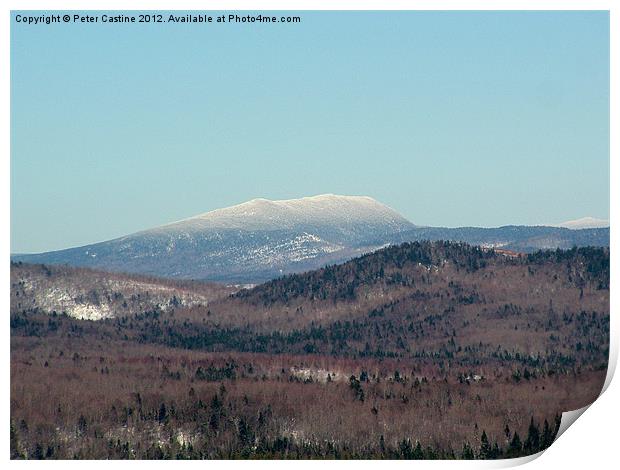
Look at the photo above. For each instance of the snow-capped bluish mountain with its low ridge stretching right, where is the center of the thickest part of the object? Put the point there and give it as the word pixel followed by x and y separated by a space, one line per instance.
pixel 262 239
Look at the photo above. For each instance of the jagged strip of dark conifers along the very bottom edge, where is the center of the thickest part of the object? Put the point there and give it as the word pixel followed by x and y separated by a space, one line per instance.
pixel 245 442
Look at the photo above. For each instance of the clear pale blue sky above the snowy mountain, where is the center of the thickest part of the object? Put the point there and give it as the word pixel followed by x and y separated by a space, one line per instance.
pixel 451 118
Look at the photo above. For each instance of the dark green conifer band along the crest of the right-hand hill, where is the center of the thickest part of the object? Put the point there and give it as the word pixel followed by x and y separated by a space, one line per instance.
pixel 399 266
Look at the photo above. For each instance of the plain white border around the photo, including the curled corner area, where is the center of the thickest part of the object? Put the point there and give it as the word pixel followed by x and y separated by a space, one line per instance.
pixel 591 443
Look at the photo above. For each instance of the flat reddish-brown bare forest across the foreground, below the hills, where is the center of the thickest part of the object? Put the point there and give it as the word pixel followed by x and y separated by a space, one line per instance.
pixel 80 395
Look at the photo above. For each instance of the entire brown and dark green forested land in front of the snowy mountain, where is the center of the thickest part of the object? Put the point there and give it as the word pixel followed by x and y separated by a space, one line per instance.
pixel 361 359
